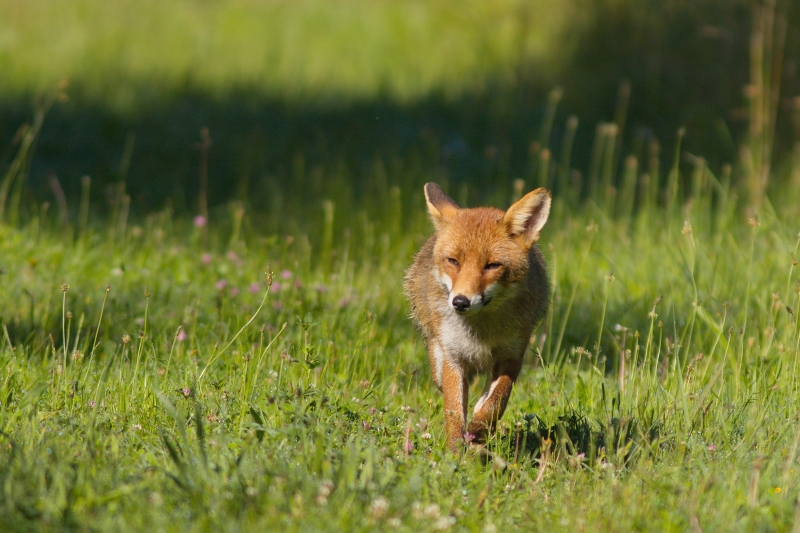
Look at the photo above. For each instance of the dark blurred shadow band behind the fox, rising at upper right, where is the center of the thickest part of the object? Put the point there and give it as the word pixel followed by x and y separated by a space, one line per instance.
pixel 684 65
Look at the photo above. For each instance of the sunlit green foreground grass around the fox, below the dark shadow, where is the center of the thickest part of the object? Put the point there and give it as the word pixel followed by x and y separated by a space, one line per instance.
pixel 315 410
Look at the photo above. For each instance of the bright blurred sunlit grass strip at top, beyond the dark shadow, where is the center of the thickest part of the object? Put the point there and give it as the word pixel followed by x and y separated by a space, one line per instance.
pixel 295 50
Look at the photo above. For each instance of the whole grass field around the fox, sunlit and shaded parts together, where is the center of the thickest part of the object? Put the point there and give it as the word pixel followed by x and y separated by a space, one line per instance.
pixel 255 369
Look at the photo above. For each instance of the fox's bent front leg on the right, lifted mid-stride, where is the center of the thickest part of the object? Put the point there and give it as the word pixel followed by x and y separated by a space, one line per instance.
pixel 492 403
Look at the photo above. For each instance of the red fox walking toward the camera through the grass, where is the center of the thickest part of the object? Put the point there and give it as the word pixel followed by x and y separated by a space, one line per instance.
pixel 478 288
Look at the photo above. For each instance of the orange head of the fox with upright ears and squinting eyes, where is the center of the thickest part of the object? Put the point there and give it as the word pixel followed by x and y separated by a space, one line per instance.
pixel 481 255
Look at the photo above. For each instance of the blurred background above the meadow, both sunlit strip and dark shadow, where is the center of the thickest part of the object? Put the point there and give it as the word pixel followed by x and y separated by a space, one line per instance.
pixel 318 94
